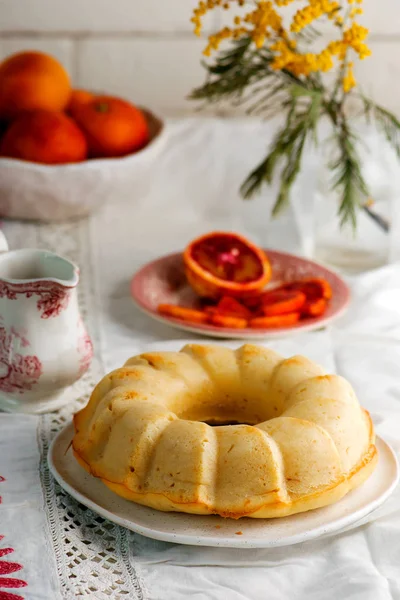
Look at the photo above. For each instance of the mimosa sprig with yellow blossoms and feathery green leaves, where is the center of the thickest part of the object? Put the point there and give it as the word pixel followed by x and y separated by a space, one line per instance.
pixel 271 68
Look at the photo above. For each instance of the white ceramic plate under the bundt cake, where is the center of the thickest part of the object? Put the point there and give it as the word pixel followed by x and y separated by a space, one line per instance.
pixel 216 531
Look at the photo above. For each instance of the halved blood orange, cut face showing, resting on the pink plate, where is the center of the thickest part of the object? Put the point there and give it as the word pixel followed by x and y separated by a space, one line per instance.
pixel 225 264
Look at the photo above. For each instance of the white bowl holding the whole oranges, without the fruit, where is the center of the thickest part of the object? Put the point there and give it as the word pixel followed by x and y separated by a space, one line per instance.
pixel 58 192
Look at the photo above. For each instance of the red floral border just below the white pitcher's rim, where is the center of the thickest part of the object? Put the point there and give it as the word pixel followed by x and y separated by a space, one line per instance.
pixel 53 298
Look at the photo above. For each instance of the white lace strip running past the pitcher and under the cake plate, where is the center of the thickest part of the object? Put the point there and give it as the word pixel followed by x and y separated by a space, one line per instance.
pixel 92 554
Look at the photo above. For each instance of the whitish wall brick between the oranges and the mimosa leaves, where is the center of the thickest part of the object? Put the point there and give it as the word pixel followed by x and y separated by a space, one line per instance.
pixel 157 72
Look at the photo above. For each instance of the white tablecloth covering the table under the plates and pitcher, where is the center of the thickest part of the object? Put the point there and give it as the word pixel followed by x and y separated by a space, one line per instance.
pixel 61 549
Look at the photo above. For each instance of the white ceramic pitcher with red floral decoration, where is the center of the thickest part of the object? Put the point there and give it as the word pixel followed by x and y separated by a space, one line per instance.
pixel 44 346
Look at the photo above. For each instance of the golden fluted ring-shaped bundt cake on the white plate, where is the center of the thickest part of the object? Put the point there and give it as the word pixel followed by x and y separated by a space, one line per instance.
pixel 209 430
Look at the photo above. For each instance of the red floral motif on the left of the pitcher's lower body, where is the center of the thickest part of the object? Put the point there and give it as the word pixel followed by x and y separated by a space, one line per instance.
pixel 18 373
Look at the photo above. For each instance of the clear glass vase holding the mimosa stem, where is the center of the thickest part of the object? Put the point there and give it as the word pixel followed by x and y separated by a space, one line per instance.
pixel 376 239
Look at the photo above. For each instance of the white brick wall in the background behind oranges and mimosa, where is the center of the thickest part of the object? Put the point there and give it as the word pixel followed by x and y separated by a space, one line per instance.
pixel 144 49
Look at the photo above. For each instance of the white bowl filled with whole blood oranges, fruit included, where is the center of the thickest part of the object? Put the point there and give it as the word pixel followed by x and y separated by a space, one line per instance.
pixel 64 152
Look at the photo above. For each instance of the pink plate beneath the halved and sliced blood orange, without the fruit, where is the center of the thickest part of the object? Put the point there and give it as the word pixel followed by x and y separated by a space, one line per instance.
pixel 163 281
